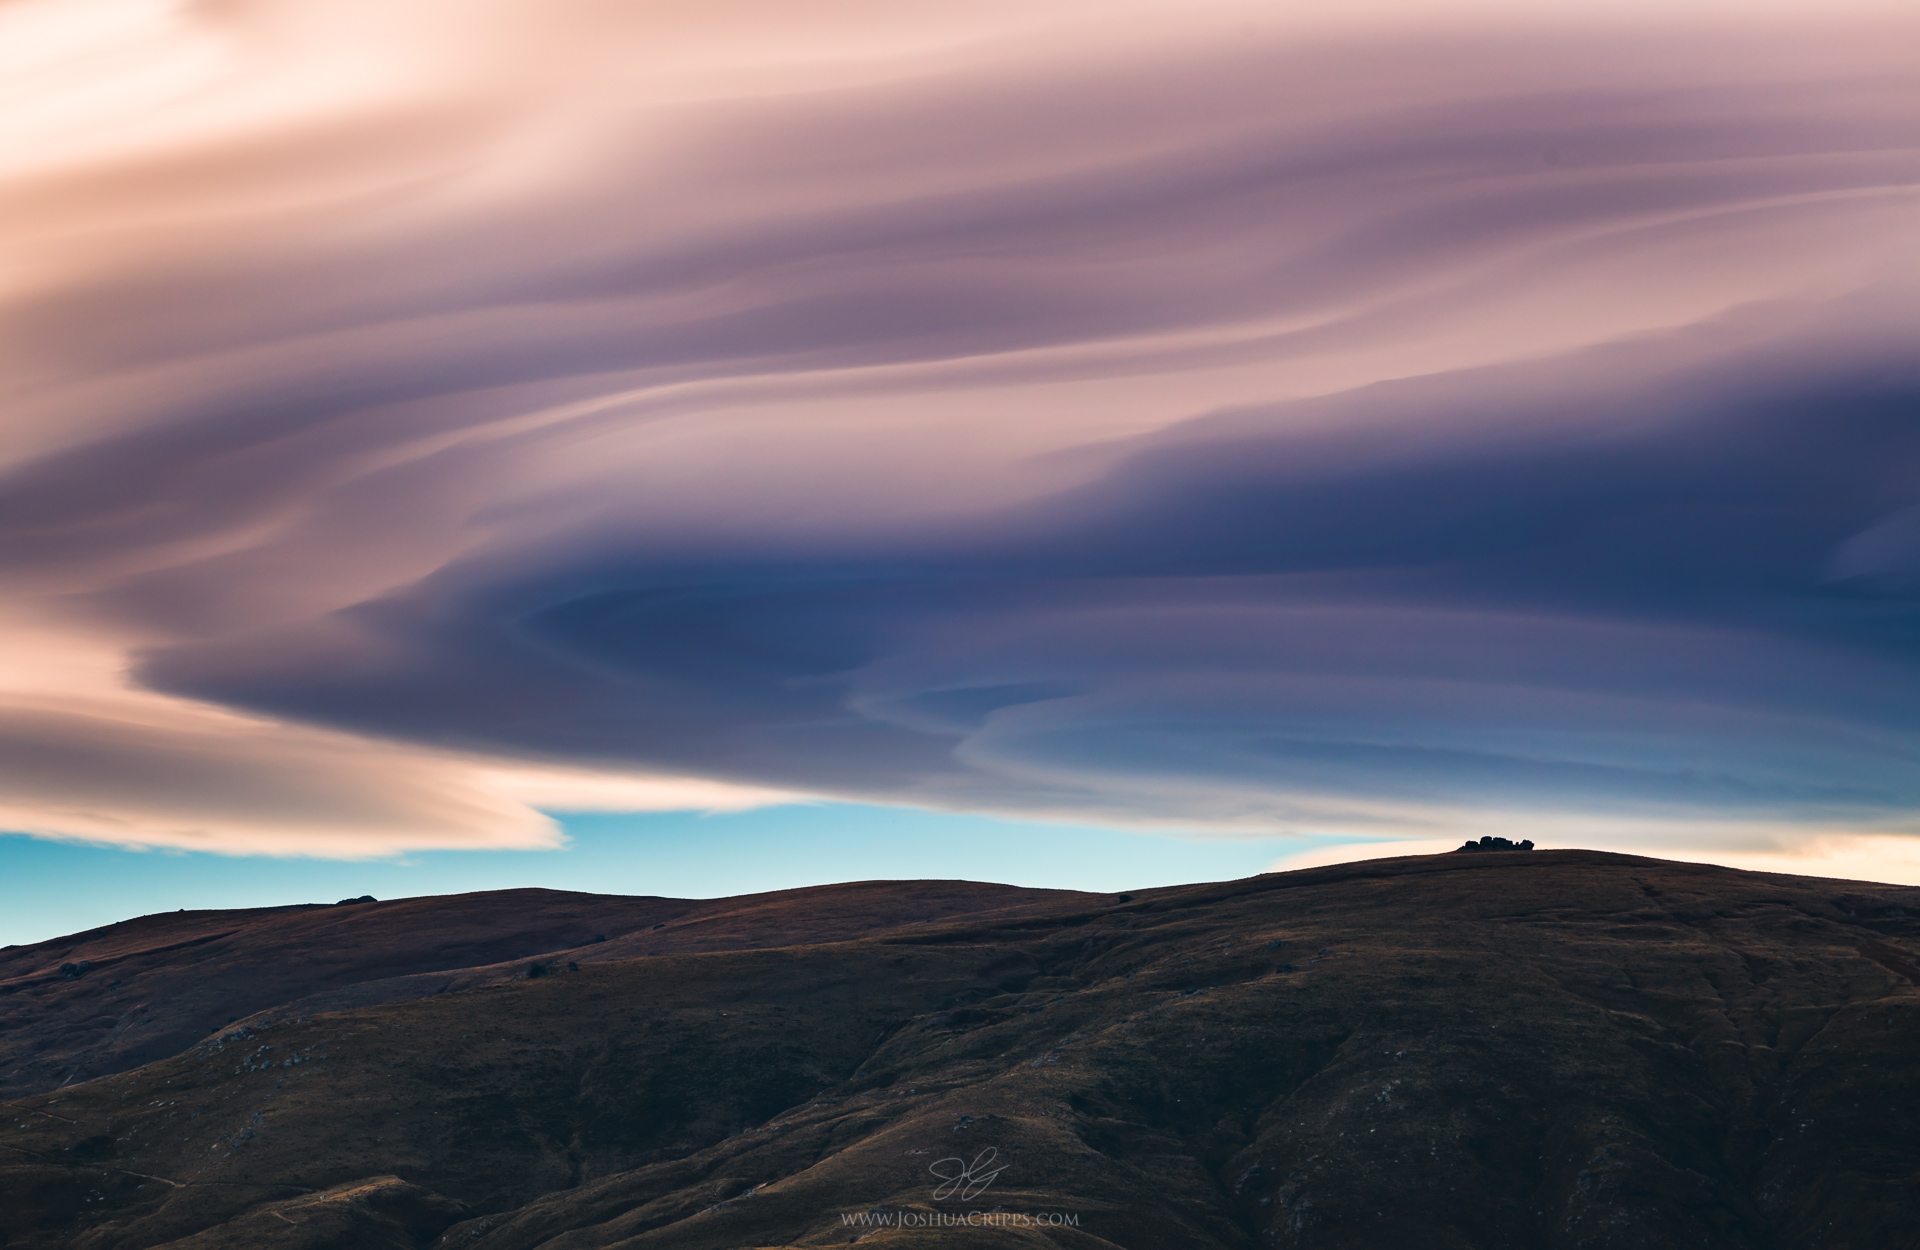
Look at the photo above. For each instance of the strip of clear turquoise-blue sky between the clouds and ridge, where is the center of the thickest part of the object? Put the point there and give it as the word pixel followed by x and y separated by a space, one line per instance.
pixel 49 888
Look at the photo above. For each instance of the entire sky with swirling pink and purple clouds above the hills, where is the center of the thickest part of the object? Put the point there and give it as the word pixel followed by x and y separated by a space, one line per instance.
pixel 496 433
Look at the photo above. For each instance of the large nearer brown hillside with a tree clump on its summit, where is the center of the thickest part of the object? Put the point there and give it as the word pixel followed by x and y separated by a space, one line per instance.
pixel 1533 1049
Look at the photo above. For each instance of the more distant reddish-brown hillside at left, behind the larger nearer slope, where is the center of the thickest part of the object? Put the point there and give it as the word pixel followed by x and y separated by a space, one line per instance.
pixel 160 984
